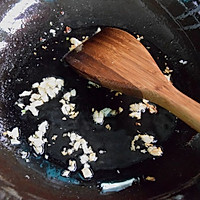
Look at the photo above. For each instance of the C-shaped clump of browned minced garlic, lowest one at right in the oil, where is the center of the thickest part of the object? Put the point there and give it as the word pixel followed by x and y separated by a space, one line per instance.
pixel 148 143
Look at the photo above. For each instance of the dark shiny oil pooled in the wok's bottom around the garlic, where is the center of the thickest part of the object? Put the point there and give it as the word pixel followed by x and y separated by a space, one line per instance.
pixel 118 161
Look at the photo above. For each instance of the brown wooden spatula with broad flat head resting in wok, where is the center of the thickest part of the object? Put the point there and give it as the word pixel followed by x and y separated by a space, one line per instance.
pixel 117 60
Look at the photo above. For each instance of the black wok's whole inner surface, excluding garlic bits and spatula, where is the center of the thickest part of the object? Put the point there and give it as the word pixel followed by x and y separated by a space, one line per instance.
pixel 176 170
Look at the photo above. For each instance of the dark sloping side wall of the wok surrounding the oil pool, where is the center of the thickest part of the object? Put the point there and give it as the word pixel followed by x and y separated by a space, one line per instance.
pixel 180 167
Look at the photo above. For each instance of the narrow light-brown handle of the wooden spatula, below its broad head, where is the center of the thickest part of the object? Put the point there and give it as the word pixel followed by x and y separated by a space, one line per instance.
pixel 180 105
